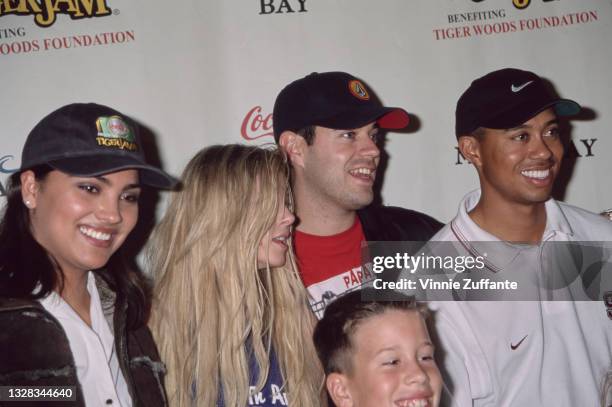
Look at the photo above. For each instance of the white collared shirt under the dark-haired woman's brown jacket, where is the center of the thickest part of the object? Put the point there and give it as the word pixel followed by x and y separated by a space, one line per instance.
pixel 93 350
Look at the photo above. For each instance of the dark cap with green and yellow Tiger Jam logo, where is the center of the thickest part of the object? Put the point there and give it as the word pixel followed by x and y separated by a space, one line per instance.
pixel 88 140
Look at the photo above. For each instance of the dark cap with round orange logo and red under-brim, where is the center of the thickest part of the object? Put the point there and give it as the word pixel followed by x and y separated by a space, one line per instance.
pixel 336 100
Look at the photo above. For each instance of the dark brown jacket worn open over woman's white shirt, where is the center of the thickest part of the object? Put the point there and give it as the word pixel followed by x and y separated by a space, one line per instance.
pixel 34 351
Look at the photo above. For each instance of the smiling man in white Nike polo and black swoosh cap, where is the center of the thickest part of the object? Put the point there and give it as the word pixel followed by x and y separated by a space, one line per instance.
pixel 532 352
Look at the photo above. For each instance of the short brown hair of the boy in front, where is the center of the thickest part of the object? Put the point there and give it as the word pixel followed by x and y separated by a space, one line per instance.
pixel 333 334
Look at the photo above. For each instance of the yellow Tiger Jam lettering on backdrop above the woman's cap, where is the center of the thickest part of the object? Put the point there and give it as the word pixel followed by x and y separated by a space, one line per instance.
pixel 45 11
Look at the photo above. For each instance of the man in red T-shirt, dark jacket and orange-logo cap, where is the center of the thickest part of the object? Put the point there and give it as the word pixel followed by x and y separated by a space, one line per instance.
pixel 328 124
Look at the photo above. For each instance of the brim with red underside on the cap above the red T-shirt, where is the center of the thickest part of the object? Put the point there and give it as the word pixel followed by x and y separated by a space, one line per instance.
pixel 391 118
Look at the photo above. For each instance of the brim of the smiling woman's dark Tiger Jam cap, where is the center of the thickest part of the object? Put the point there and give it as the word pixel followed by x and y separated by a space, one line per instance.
pixel 97 165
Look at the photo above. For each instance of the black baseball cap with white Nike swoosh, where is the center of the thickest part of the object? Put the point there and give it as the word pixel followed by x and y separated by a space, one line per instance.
pixel 505 99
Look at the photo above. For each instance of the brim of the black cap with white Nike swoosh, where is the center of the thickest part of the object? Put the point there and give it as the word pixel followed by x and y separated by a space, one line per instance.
pixel 518 115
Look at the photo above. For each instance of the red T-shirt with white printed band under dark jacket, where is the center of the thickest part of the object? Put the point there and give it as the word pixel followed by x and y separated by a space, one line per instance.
pixel 331 265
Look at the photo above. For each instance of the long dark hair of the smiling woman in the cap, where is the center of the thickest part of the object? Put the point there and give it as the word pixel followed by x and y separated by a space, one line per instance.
pixel 27 271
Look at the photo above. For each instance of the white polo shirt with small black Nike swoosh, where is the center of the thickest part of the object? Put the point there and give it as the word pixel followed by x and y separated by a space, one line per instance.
pixel 525 353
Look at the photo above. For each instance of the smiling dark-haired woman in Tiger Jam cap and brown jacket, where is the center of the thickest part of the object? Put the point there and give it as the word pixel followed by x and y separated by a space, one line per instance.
pixel 72 314
